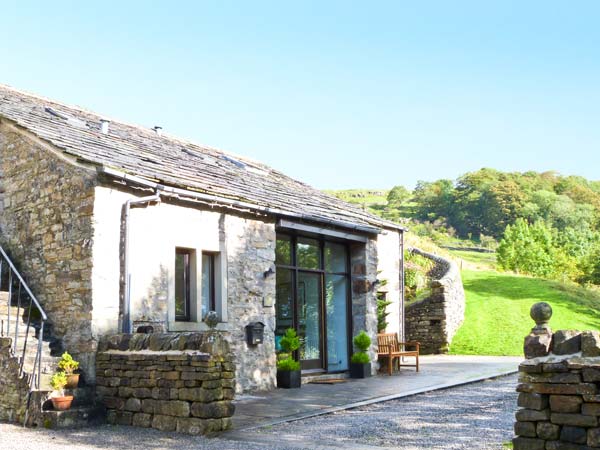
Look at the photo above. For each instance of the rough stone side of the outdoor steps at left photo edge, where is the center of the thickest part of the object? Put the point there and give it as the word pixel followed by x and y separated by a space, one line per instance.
pixel 13 387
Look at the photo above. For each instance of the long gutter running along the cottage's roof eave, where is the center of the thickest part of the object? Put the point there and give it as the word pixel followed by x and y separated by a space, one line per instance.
pixel 238 204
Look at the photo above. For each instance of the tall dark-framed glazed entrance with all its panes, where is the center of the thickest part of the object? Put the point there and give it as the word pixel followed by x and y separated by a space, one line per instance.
pixel 312 285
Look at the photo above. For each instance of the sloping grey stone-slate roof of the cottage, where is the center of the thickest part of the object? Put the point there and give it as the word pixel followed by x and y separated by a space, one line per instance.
pixel 174 162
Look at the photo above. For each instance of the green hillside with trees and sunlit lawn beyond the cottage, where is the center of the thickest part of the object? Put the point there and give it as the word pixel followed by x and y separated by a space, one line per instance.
pixel 553 224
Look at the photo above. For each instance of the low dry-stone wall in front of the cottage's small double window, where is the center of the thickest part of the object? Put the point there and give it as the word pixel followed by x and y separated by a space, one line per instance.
pixel 180 382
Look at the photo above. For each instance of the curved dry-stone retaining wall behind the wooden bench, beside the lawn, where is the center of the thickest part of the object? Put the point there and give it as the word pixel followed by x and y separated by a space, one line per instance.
pixel 434 320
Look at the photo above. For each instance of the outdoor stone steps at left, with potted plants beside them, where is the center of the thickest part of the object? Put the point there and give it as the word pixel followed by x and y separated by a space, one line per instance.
pixel 84 411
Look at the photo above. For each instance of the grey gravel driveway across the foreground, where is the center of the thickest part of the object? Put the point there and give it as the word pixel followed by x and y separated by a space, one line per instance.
pixel 475 416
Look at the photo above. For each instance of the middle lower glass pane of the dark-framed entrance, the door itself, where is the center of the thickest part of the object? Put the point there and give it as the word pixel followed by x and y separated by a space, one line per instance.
pixel 309 319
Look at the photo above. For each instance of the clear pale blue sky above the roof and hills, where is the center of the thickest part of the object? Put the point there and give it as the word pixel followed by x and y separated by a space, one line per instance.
pixel 338 94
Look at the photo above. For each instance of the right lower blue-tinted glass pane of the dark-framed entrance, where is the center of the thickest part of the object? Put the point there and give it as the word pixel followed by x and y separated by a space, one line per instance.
pixel 336 294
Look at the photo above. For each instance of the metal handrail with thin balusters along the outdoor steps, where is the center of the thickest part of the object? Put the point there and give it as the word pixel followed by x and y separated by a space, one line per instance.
pixel 20 295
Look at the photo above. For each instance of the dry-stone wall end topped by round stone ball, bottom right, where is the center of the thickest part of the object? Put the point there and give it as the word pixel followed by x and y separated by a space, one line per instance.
pixel 559 390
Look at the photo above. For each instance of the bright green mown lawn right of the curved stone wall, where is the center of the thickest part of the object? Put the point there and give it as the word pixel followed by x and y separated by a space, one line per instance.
pixel 497 313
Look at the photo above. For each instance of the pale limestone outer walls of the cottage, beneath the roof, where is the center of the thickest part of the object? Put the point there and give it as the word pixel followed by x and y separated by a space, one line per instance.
pixel 63 224
